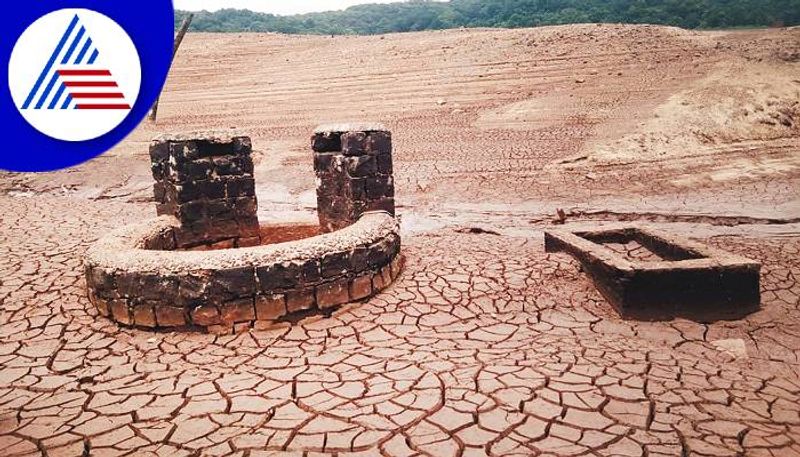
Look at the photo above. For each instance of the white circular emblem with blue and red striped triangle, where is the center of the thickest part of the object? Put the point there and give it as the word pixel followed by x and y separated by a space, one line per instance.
pixel 74 74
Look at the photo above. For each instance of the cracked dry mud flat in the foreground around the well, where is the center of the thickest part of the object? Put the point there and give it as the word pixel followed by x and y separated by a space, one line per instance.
pixel 499 350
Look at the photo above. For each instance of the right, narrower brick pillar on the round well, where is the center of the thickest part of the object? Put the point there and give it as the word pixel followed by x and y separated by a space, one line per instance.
pixel 353 165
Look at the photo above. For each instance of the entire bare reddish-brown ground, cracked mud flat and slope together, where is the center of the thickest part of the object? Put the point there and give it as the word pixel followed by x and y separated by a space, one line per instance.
pixel 485 345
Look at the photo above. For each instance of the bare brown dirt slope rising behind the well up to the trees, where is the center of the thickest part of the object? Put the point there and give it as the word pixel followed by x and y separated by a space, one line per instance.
pixel 581 116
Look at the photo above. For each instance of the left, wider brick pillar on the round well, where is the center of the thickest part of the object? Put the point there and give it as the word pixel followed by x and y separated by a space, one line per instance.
pixel 206 181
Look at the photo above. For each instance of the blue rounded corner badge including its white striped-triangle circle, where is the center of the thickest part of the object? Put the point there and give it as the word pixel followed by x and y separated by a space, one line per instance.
pixel 81 77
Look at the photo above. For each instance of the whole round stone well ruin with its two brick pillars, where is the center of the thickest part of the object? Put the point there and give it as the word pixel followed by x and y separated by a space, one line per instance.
pixel 202 262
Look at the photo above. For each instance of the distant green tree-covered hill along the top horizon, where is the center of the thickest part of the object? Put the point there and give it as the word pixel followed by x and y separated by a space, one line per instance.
pixel 417 15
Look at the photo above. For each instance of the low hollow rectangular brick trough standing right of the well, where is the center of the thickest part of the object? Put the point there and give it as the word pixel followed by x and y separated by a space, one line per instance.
pixel 690 279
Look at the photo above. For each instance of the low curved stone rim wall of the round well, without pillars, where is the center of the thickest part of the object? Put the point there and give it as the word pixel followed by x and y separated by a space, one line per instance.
pixel 132 282
